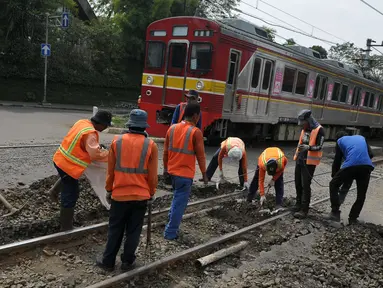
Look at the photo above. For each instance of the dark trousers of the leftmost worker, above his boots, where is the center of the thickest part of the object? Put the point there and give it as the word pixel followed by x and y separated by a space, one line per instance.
pixel 70 190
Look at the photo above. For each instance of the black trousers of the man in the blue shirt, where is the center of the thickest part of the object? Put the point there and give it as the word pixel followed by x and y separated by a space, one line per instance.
pixel 361 174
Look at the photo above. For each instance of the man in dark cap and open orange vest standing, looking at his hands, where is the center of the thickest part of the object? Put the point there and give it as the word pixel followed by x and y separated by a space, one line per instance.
pixel 308 155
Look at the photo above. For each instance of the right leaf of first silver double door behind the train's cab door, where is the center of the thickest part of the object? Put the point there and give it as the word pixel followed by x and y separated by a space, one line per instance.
pixel 264 86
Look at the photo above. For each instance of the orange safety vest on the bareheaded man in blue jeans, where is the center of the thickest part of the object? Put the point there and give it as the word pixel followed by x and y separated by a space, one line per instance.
pixel 181 154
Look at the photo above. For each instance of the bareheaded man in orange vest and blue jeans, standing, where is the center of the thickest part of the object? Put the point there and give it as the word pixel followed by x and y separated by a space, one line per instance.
pixel 183 144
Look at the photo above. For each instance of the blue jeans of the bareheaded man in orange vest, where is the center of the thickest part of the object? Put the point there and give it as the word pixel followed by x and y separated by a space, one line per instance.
pixel 182 189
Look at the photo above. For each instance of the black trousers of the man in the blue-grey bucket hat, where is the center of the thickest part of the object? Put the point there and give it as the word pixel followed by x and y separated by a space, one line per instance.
pixel 125 216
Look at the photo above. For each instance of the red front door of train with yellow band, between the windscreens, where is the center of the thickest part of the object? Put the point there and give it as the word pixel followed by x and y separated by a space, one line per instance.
pixel 175 73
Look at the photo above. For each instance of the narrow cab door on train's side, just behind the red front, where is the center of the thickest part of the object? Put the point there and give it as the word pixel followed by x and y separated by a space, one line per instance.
pixel 231 80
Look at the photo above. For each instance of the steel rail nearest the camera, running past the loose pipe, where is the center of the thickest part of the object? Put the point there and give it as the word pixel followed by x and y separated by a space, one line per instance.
pixel 199 248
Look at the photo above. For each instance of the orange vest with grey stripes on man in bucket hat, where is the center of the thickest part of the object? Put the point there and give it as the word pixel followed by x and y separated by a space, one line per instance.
pixel 132 153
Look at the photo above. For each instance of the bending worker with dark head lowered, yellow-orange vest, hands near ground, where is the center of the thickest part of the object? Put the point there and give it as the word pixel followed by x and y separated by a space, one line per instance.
pixel 272 161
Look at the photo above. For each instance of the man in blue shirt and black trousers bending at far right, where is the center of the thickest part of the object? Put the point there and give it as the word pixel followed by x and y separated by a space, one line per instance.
pixel 357 166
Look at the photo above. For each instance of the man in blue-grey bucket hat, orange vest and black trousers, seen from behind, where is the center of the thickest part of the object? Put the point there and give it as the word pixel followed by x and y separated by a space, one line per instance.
pixel 130 184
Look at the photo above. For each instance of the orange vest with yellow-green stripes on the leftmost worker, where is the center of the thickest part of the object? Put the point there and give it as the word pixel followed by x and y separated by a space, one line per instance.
pixel 71 157
